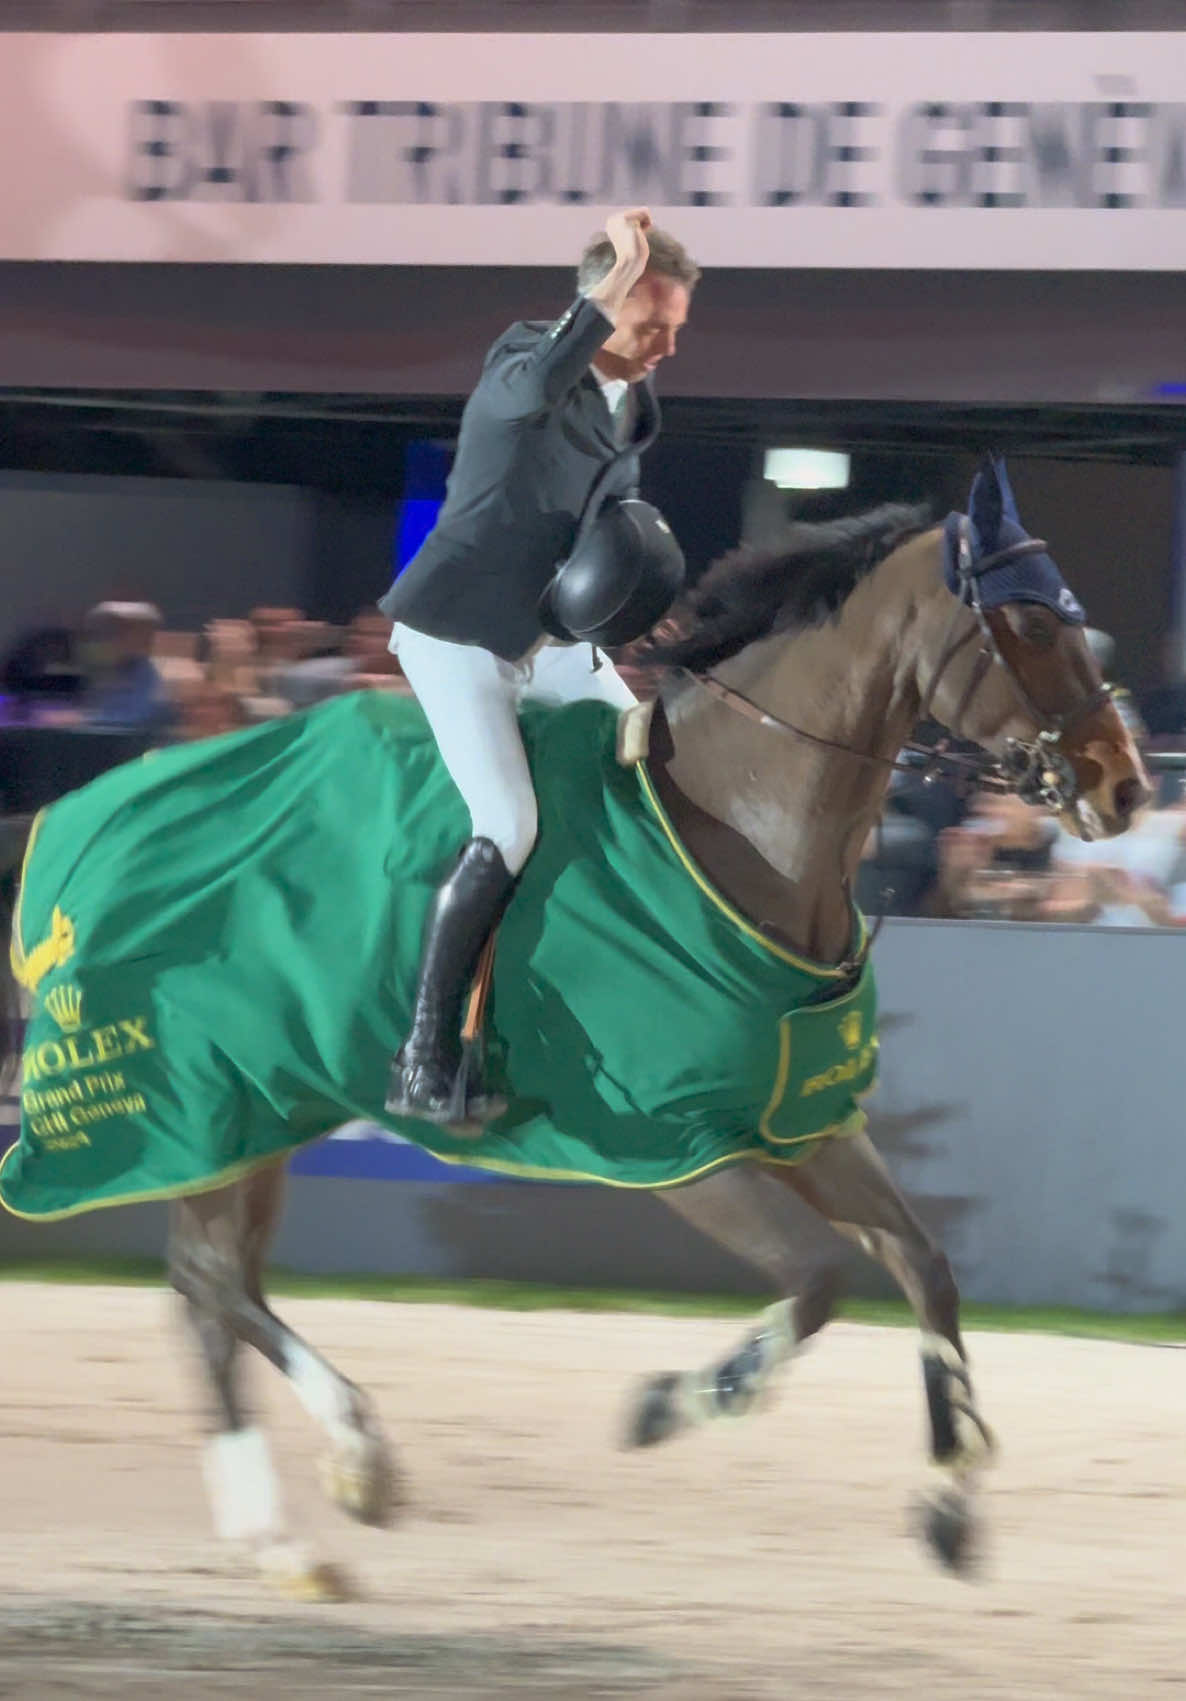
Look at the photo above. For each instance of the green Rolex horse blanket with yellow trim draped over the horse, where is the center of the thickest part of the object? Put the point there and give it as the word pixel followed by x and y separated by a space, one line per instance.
pixel 222 945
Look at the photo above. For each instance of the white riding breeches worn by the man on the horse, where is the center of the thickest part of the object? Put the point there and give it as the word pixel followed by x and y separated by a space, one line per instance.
pixel 472 700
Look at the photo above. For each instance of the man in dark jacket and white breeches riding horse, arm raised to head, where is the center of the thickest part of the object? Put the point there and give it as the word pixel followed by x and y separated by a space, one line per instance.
pixel 559 409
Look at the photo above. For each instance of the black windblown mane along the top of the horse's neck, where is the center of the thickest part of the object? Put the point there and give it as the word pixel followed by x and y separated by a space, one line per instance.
pixel 751 594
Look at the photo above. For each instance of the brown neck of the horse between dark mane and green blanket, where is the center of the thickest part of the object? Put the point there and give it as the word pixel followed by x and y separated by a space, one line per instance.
pixel 778 822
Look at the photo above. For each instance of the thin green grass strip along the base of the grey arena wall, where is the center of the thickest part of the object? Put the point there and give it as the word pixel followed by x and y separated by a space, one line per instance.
pixel 533 1297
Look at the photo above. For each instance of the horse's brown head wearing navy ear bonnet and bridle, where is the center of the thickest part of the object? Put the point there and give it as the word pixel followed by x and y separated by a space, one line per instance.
pixel 1030 691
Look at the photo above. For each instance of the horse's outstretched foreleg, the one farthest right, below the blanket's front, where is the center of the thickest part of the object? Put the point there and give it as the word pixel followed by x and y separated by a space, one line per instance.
pixel 848 1183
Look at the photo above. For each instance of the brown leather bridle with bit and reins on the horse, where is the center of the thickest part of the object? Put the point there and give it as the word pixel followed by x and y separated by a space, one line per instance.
pixel 1037 771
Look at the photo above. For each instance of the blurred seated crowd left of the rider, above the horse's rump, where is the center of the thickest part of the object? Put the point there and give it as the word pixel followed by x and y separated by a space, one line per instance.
pixel 123 671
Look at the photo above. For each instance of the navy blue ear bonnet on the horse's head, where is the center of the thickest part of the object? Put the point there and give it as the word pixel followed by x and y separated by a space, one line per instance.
pixel 993 528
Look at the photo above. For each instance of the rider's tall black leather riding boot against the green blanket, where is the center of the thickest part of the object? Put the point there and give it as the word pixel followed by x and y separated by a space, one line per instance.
pixel 462 918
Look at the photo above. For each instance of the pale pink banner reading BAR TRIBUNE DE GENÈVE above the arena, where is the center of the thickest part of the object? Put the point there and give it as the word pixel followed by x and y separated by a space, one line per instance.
pixel 792 151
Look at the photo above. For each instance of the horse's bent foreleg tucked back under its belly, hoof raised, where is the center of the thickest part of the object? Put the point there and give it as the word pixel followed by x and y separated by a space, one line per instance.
pixel 736 1210
